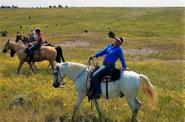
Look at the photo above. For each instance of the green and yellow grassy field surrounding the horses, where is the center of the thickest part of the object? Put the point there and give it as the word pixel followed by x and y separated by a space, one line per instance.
pixel 160 30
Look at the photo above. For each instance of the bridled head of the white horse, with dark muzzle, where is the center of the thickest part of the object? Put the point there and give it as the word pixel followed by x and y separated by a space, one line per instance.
pixel 58 76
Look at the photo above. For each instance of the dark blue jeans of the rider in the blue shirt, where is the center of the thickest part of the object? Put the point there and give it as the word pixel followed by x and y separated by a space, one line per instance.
pixel 97 75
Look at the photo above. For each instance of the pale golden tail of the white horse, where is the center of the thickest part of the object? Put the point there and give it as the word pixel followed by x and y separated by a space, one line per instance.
pixel 149 91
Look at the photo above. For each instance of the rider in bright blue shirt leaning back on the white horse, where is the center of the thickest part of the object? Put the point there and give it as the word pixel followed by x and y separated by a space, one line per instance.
pixel 112 52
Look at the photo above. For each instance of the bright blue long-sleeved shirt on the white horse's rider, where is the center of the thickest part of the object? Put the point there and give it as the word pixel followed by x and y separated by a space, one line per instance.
pixel 112 54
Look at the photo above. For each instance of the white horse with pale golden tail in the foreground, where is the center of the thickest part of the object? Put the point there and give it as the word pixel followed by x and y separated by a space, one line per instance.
pixel 128 84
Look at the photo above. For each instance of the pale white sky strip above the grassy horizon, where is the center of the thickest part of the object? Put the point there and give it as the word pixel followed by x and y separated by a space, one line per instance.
pixel 95 3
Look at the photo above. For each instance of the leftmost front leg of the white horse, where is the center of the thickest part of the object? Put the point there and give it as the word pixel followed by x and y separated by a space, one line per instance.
pixel 80 98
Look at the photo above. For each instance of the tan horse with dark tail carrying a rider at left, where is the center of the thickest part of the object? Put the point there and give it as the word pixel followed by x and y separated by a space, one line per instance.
pixel 45 53
